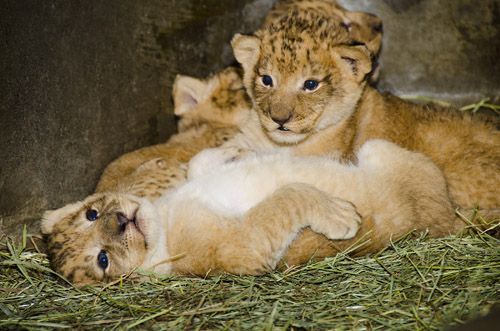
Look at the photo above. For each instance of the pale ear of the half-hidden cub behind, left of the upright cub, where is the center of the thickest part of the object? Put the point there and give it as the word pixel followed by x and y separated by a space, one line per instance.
pixel 188 92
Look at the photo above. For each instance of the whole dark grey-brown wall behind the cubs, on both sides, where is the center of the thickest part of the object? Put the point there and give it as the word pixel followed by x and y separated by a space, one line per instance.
pixel 85 81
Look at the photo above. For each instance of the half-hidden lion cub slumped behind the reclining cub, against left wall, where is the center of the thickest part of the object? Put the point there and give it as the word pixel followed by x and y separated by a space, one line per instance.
pixel 210 112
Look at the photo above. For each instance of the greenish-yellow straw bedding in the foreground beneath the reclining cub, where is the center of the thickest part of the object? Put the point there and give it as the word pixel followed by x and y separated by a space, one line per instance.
pixel 417 283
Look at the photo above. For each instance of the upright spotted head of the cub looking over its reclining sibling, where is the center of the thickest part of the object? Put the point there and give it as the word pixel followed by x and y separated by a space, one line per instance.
pixel 304 73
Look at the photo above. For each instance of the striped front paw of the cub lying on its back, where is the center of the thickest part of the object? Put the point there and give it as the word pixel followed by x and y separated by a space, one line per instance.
pixel 338 219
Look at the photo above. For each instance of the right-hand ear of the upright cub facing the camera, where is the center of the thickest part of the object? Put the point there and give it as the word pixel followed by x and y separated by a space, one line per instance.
pixel 355 61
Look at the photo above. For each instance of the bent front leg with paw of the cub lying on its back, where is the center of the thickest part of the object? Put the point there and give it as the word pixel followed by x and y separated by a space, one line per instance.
pixel 259 241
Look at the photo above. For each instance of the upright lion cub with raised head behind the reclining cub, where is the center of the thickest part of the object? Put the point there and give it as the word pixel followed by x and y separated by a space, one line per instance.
pixel 307 81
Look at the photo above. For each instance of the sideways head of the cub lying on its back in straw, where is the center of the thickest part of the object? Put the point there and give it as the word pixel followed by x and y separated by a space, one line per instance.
pixel 100 238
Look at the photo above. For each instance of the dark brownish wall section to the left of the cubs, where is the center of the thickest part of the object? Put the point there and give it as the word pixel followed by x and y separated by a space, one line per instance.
pixel 85 81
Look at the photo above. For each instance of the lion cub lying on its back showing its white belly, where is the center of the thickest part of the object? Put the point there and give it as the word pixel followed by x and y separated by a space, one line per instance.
pixel 242 216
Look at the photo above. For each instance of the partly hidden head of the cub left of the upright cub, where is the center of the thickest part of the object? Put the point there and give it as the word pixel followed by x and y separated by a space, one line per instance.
pixel 220 99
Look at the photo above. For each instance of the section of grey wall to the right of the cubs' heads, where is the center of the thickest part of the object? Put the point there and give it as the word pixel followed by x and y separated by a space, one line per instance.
pixel 447 49
